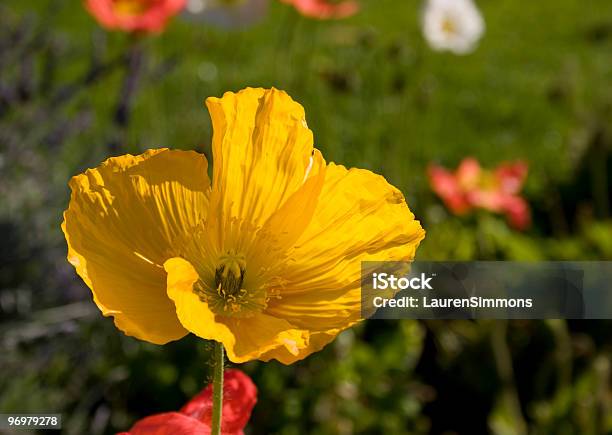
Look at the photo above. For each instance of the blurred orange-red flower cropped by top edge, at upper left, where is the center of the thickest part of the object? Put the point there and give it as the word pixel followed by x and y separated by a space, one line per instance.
pixel 134 15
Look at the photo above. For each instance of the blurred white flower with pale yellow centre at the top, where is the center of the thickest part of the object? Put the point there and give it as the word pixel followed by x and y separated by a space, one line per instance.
pixel 454 25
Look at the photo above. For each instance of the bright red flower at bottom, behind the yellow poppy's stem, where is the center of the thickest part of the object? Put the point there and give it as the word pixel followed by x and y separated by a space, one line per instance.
pixel 195 418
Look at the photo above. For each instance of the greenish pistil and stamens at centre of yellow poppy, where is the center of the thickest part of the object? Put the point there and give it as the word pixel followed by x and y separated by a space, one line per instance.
pixel 228 295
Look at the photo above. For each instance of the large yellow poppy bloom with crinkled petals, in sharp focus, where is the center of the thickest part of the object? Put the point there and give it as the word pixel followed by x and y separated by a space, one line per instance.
pixel 265 259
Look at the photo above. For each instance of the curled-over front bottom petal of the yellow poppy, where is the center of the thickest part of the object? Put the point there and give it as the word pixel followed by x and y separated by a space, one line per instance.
pixel 244 339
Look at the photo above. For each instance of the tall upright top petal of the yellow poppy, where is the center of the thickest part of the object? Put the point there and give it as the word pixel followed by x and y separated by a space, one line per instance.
pixel 262 151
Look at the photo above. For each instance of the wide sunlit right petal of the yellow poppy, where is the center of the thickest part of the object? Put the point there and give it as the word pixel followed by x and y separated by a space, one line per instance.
pixel 359 217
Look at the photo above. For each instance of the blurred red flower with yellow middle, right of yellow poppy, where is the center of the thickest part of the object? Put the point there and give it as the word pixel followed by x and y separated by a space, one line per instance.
pixel 472 187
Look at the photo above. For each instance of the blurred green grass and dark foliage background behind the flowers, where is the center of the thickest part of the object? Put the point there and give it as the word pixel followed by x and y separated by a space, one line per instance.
pixel 538 88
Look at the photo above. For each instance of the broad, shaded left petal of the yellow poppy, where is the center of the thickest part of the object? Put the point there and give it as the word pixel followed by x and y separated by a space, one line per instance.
pixel 123 222
